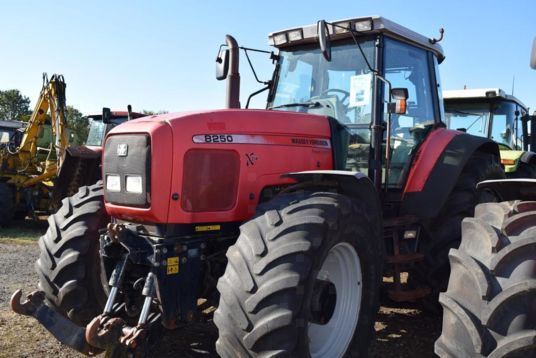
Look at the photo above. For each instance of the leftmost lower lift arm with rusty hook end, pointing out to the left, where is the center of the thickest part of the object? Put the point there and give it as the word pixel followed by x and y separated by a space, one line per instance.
pixel 62 328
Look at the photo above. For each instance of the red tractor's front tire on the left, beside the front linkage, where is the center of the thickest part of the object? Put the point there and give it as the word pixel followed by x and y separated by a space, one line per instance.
pixel 69 265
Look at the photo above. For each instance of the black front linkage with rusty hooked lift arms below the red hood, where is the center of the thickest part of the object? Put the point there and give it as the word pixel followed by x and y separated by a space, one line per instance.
pixel 157 280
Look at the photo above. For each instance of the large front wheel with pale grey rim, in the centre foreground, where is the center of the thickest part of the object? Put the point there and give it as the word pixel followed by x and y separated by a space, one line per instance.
pixel 302 280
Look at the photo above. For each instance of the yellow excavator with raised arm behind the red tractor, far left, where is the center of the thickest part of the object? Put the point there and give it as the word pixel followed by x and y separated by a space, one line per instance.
pixel 30 160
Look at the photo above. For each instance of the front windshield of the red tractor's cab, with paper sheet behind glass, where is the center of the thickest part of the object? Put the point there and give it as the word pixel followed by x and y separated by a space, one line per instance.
pixel 340 88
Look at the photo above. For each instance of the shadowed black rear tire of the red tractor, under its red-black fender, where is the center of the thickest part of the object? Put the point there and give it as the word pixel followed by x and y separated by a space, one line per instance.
pixel 444 232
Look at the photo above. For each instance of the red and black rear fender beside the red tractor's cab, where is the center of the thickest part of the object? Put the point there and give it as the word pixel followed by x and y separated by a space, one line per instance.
pixel 436 168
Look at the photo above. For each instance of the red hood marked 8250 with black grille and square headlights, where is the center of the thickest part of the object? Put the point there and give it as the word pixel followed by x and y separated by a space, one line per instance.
pixel 207 166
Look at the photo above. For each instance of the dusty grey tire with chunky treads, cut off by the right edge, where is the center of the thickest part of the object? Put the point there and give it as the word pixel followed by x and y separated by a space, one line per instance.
pixel 489 307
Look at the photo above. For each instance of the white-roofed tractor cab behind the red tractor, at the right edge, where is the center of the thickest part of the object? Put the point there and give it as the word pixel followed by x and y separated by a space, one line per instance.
pixel 496 115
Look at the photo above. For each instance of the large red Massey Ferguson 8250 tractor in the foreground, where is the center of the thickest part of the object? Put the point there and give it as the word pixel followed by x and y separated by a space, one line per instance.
pixel 285 219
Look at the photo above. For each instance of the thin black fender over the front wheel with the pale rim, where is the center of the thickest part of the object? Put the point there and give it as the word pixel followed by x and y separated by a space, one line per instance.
pixel 353 184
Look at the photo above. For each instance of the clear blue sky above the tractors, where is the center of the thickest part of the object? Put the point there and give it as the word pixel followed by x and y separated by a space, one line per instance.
pixel 160 55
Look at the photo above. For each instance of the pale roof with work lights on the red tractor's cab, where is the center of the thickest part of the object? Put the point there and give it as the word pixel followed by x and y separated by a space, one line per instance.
pixel 364 25
